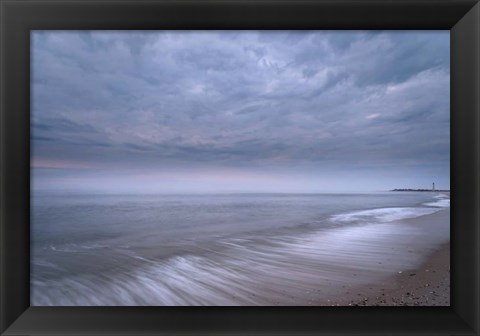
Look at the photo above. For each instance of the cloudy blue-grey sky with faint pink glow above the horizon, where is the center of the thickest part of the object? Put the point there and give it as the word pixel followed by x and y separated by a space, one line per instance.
pixel 239 111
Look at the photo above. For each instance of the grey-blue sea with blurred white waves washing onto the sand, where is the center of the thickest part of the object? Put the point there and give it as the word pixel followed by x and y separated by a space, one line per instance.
pixel 223 249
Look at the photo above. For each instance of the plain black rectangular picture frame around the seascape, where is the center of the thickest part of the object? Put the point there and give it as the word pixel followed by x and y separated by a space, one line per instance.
pixel 18 17
